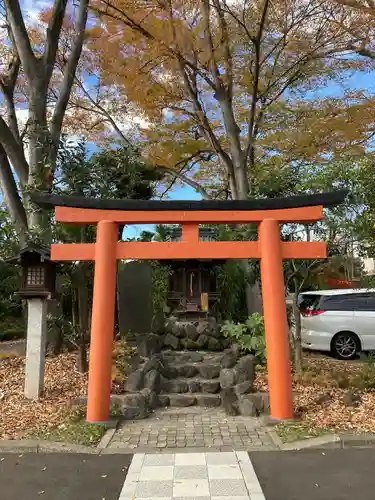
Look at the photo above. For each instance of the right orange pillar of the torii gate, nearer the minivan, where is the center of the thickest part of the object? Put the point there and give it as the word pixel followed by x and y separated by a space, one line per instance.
pixel 275 321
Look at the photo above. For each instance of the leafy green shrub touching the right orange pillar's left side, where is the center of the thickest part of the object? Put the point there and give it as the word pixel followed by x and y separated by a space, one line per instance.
pixel 248 335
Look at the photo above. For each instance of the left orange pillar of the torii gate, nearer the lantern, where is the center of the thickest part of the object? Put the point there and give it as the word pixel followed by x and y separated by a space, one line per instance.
pixel 102 324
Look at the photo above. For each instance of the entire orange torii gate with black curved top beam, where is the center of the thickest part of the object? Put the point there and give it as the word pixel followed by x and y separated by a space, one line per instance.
pixel 268 214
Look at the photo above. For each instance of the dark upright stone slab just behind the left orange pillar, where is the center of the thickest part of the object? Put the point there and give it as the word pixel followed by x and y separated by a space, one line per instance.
pixel 134 283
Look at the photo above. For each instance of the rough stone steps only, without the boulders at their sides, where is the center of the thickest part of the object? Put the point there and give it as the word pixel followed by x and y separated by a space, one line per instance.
pixel 192 378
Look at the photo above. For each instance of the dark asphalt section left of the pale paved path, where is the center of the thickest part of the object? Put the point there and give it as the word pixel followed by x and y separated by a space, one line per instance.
pixel 62 476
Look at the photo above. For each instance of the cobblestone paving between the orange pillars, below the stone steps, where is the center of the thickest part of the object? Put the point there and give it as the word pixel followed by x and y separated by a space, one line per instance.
pixel 189 429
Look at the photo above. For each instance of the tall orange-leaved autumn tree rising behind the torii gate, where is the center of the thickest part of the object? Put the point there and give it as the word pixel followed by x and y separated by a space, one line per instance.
pixel 223 84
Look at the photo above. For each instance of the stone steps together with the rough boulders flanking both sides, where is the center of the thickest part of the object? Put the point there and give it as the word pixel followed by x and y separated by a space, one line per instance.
pixel 190 378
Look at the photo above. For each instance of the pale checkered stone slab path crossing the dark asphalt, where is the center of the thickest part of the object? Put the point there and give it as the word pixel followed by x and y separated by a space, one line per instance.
pixel 192 476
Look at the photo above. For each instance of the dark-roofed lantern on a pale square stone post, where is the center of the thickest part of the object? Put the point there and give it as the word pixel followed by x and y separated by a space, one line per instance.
pixel 38 285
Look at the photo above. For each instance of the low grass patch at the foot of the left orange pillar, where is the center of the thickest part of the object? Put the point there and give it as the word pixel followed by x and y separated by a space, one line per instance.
pixel 74 431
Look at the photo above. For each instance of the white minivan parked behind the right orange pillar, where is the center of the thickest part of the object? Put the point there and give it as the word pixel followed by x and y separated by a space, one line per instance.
pixel 339 321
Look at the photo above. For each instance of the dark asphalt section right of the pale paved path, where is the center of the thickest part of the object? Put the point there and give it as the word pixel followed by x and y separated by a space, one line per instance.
pixel 316 474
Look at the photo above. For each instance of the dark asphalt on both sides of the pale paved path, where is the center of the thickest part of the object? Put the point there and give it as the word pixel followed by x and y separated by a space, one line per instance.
pixel 294 475
